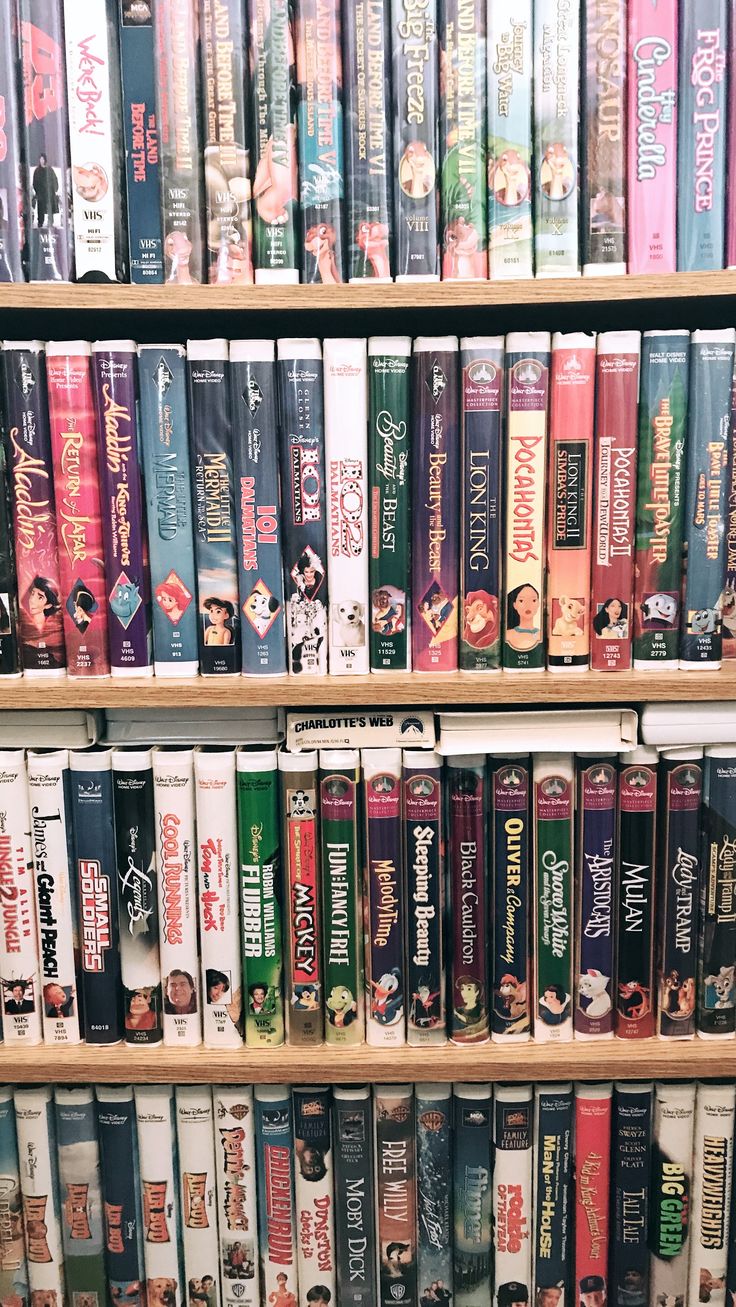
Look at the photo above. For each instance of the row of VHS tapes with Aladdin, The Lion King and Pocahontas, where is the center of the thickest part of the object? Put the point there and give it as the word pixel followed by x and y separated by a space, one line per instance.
pixel 369 506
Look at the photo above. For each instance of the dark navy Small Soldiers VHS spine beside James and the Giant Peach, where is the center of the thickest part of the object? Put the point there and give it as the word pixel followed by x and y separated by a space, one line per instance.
pixel 91 777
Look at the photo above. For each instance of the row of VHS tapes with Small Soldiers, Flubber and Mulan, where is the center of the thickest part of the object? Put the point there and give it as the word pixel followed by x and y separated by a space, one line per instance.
pixel 381 897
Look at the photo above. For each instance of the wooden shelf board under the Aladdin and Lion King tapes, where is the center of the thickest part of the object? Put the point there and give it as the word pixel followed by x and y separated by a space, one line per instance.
pixel 343 692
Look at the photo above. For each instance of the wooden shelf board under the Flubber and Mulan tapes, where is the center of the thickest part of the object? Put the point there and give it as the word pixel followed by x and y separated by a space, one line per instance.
pixel 646 1061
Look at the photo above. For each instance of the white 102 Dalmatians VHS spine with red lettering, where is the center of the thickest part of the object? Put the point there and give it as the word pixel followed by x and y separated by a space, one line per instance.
pixel 346 457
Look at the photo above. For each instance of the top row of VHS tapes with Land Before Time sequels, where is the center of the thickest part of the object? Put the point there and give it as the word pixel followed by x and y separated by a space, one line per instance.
pixel 283 141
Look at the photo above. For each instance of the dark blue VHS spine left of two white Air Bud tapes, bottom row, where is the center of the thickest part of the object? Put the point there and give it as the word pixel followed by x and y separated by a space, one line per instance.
pixel 121 1193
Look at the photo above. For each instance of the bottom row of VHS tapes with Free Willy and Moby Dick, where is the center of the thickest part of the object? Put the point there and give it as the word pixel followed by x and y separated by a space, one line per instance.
pixel 269 1197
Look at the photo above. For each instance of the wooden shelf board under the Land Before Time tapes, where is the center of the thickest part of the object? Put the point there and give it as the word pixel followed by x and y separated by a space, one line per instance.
pixel 110 299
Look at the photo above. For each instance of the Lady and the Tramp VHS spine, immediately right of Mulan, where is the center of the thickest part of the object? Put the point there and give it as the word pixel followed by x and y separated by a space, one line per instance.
pixel 678 891
